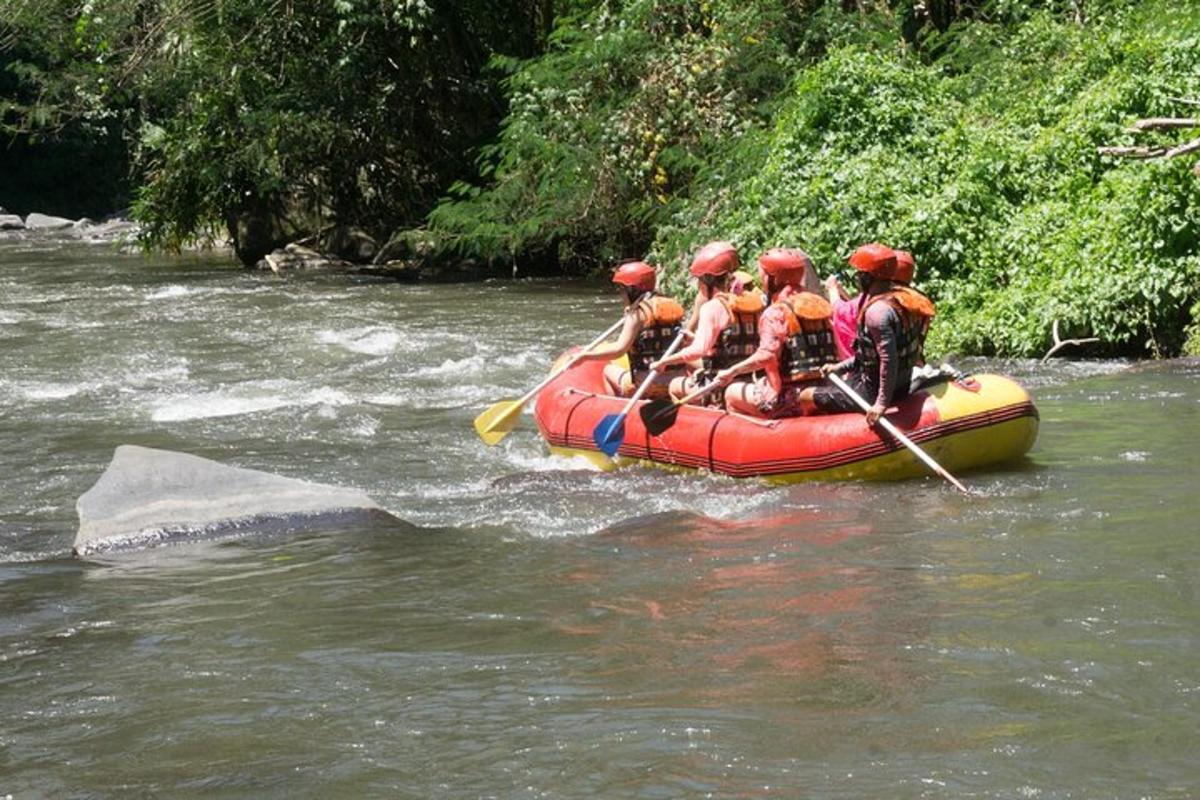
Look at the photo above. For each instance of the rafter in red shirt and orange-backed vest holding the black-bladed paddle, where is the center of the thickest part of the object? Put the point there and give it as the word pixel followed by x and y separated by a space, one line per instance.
pixel 795 340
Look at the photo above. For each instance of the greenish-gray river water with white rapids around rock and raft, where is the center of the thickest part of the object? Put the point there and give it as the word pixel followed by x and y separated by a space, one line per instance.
pixel 536 629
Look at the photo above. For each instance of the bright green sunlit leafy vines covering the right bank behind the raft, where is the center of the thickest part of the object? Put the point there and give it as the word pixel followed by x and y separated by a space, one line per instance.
pixel 992 178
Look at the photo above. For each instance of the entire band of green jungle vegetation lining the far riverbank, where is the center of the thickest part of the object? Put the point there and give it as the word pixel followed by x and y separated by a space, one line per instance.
pixel 560 136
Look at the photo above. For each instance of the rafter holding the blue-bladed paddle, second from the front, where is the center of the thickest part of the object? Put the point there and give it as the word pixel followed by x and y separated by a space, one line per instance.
pixel 727 324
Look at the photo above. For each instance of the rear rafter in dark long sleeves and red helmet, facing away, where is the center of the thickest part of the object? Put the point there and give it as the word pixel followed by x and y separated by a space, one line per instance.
pixel 890 341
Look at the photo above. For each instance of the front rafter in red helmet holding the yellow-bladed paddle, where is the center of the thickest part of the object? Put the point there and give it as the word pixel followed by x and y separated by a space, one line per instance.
pixel 652 322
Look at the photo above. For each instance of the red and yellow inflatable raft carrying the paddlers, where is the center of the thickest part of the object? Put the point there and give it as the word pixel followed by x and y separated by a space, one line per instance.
pixel 992 423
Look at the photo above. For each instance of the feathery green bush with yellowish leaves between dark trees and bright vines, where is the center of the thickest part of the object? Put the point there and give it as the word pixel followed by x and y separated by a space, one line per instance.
pixel 608 131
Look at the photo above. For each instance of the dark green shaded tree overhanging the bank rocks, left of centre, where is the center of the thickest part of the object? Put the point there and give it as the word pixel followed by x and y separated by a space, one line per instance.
pixel 351 112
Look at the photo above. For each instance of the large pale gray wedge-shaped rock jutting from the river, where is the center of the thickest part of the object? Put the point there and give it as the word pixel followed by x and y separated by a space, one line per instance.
pixel 147 497
